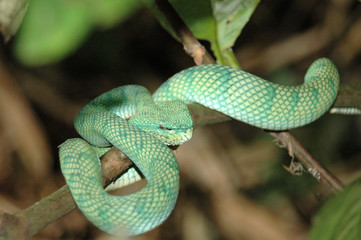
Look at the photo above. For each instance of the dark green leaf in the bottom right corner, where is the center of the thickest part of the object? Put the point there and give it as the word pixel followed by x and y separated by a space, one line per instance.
pixel 340 217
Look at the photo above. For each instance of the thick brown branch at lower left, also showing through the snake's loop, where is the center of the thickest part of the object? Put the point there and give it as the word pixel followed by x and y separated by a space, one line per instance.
pixel 31 220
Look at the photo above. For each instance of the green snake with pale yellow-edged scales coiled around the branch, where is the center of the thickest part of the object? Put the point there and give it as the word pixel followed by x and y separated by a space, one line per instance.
pixel 163 119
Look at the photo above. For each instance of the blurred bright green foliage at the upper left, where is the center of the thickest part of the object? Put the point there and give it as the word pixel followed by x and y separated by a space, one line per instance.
pixel 54 29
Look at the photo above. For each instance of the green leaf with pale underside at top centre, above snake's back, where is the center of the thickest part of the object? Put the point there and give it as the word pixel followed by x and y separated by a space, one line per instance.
pixel 218 21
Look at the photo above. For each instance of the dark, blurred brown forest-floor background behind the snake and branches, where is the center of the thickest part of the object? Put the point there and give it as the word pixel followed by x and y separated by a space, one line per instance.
pixel 233 185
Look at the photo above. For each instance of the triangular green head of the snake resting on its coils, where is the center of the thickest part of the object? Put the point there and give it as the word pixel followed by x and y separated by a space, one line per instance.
pixel 169 121
